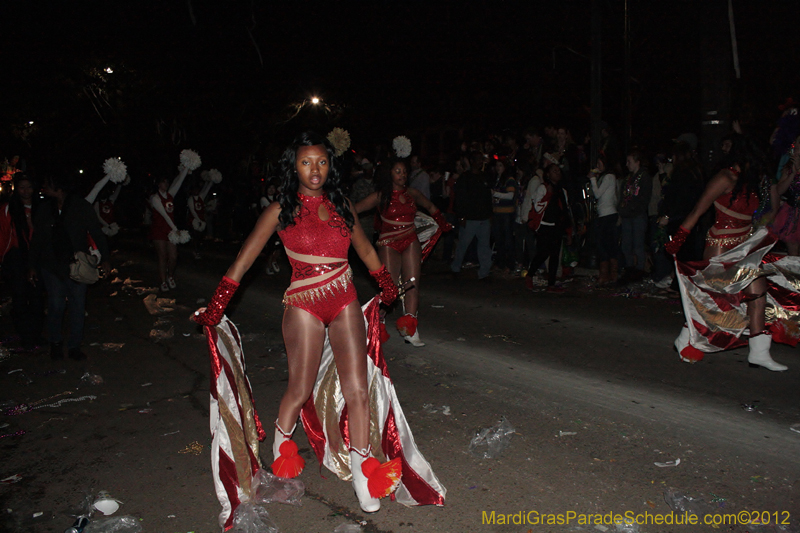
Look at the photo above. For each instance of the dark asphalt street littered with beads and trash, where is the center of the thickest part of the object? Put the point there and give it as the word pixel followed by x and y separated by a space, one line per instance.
pixel 587 378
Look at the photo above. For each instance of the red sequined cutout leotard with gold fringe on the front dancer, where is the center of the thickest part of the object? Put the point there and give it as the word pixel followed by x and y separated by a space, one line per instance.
pixel 322 282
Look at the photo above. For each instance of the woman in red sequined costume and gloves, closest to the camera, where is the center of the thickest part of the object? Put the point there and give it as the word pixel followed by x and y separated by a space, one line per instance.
pixel 317 225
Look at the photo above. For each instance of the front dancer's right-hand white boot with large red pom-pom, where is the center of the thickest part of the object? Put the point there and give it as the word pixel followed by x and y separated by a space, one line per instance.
pixel 372 480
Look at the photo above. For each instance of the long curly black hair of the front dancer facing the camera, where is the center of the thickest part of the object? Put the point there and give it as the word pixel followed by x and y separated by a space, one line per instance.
pixel 289 201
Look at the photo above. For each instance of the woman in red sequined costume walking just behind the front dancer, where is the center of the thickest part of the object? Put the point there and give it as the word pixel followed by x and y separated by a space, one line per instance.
pixel 398 245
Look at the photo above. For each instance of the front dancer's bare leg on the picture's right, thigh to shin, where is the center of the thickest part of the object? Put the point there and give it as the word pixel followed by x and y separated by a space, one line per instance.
pixel 348 338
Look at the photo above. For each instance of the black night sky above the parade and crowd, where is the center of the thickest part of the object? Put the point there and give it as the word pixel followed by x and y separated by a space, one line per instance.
pixel 224 78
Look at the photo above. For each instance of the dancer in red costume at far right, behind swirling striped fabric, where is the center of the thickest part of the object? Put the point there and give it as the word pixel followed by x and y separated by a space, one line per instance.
pixel 734 194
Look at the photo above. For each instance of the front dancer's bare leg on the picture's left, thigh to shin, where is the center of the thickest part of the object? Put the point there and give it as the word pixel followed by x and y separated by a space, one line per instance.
pixel 304 336
